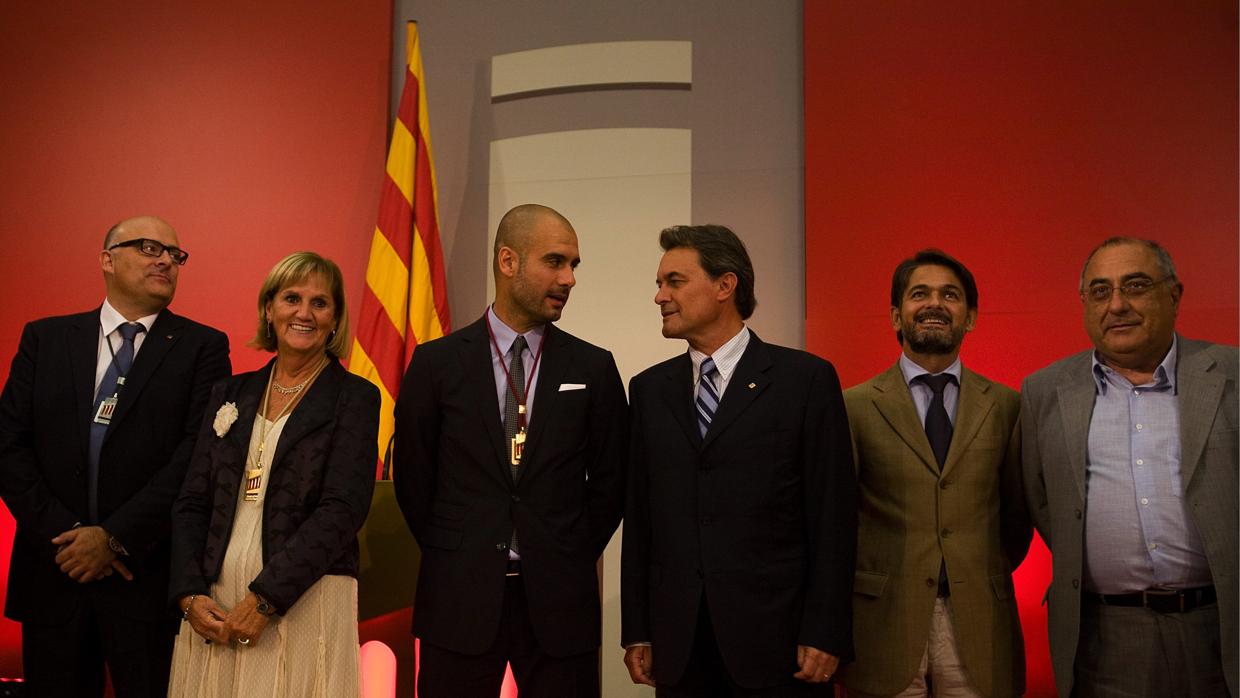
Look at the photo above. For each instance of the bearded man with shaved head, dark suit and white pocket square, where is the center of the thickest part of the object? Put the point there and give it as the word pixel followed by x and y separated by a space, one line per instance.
pixel 510 449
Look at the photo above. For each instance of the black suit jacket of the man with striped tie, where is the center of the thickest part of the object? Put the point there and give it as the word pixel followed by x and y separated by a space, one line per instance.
pixel 758 520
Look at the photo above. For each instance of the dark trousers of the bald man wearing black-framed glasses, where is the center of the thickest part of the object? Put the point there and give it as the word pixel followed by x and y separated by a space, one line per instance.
pixel 69 660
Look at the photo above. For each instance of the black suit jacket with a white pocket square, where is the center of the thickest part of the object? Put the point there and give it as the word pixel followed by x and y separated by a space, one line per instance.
pixel 456 488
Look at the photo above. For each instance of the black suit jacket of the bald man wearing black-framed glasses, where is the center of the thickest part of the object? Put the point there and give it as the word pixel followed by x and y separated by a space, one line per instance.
pixel 45 426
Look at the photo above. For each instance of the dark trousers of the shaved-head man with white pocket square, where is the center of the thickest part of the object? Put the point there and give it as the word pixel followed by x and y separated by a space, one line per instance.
pixel 443 674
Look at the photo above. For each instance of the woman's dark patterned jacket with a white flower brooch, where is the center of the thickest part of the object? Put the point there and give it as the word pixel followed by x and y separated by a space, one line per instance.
pixel 319 494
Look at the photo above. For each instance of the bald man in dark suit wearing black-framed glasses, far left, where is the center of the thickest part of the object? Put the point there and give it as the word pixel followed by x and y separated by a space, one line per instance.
pixel 97 423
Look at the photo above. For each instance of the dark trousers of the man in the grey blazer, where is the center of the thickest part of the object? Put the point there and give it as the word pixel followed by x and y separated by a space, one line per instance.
pixel 1134 653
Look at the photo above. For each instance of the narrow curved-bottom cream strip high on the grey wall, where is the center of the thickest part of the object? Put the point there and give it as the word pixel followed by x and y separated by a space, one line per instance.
pixel 591 65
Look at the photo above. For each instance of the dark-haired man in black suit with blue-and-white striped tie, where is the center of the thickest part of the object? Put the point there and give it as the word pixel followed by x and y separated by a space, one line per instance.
pixel 741 520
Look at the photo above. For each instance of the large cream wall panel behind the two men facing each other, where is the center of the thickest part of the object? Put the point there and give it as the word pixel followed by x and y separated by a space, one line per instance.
pixel 619 188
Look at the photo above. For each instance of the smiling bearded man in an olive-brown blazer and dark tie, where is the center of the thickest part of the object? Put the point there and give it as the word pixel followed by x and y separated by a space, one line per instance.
pixel 919 518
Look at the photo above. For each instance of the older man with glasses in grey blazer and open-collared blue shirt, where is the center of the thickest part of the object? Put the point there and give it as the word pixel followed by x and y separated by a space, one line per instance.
pixel 1130 467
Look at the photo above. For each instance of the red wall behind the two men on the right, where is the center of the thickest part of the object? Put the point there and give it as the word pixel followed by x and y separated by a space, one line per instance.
pixel 1016 137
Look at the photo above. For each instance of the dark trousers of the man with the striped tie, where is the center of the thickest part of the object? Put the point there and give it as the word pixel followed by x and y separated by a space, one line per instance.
pixel 707 676
